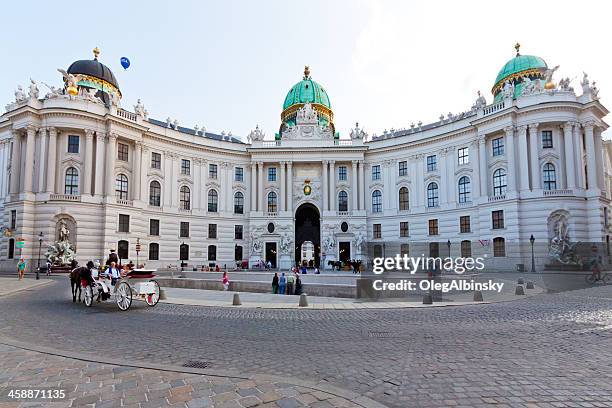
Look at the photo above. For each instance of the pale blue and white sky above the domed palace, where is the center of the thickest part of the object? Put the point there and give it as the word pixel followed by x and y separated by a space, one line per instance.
pixel 228 64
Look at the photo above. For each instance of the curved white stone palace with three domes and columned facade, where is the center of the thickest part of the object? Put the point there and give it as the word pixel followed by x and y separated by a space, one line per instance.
pixel 484 180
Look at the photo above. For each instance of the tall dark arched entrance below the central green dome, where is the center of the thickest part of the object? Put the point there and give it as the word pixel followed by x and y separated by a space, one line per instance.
pixel 307 230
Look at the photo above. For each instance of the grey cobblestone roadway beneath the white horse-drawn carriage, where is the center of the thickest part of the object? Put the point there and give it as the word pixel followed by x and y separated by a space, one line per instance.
pixel 551 350
